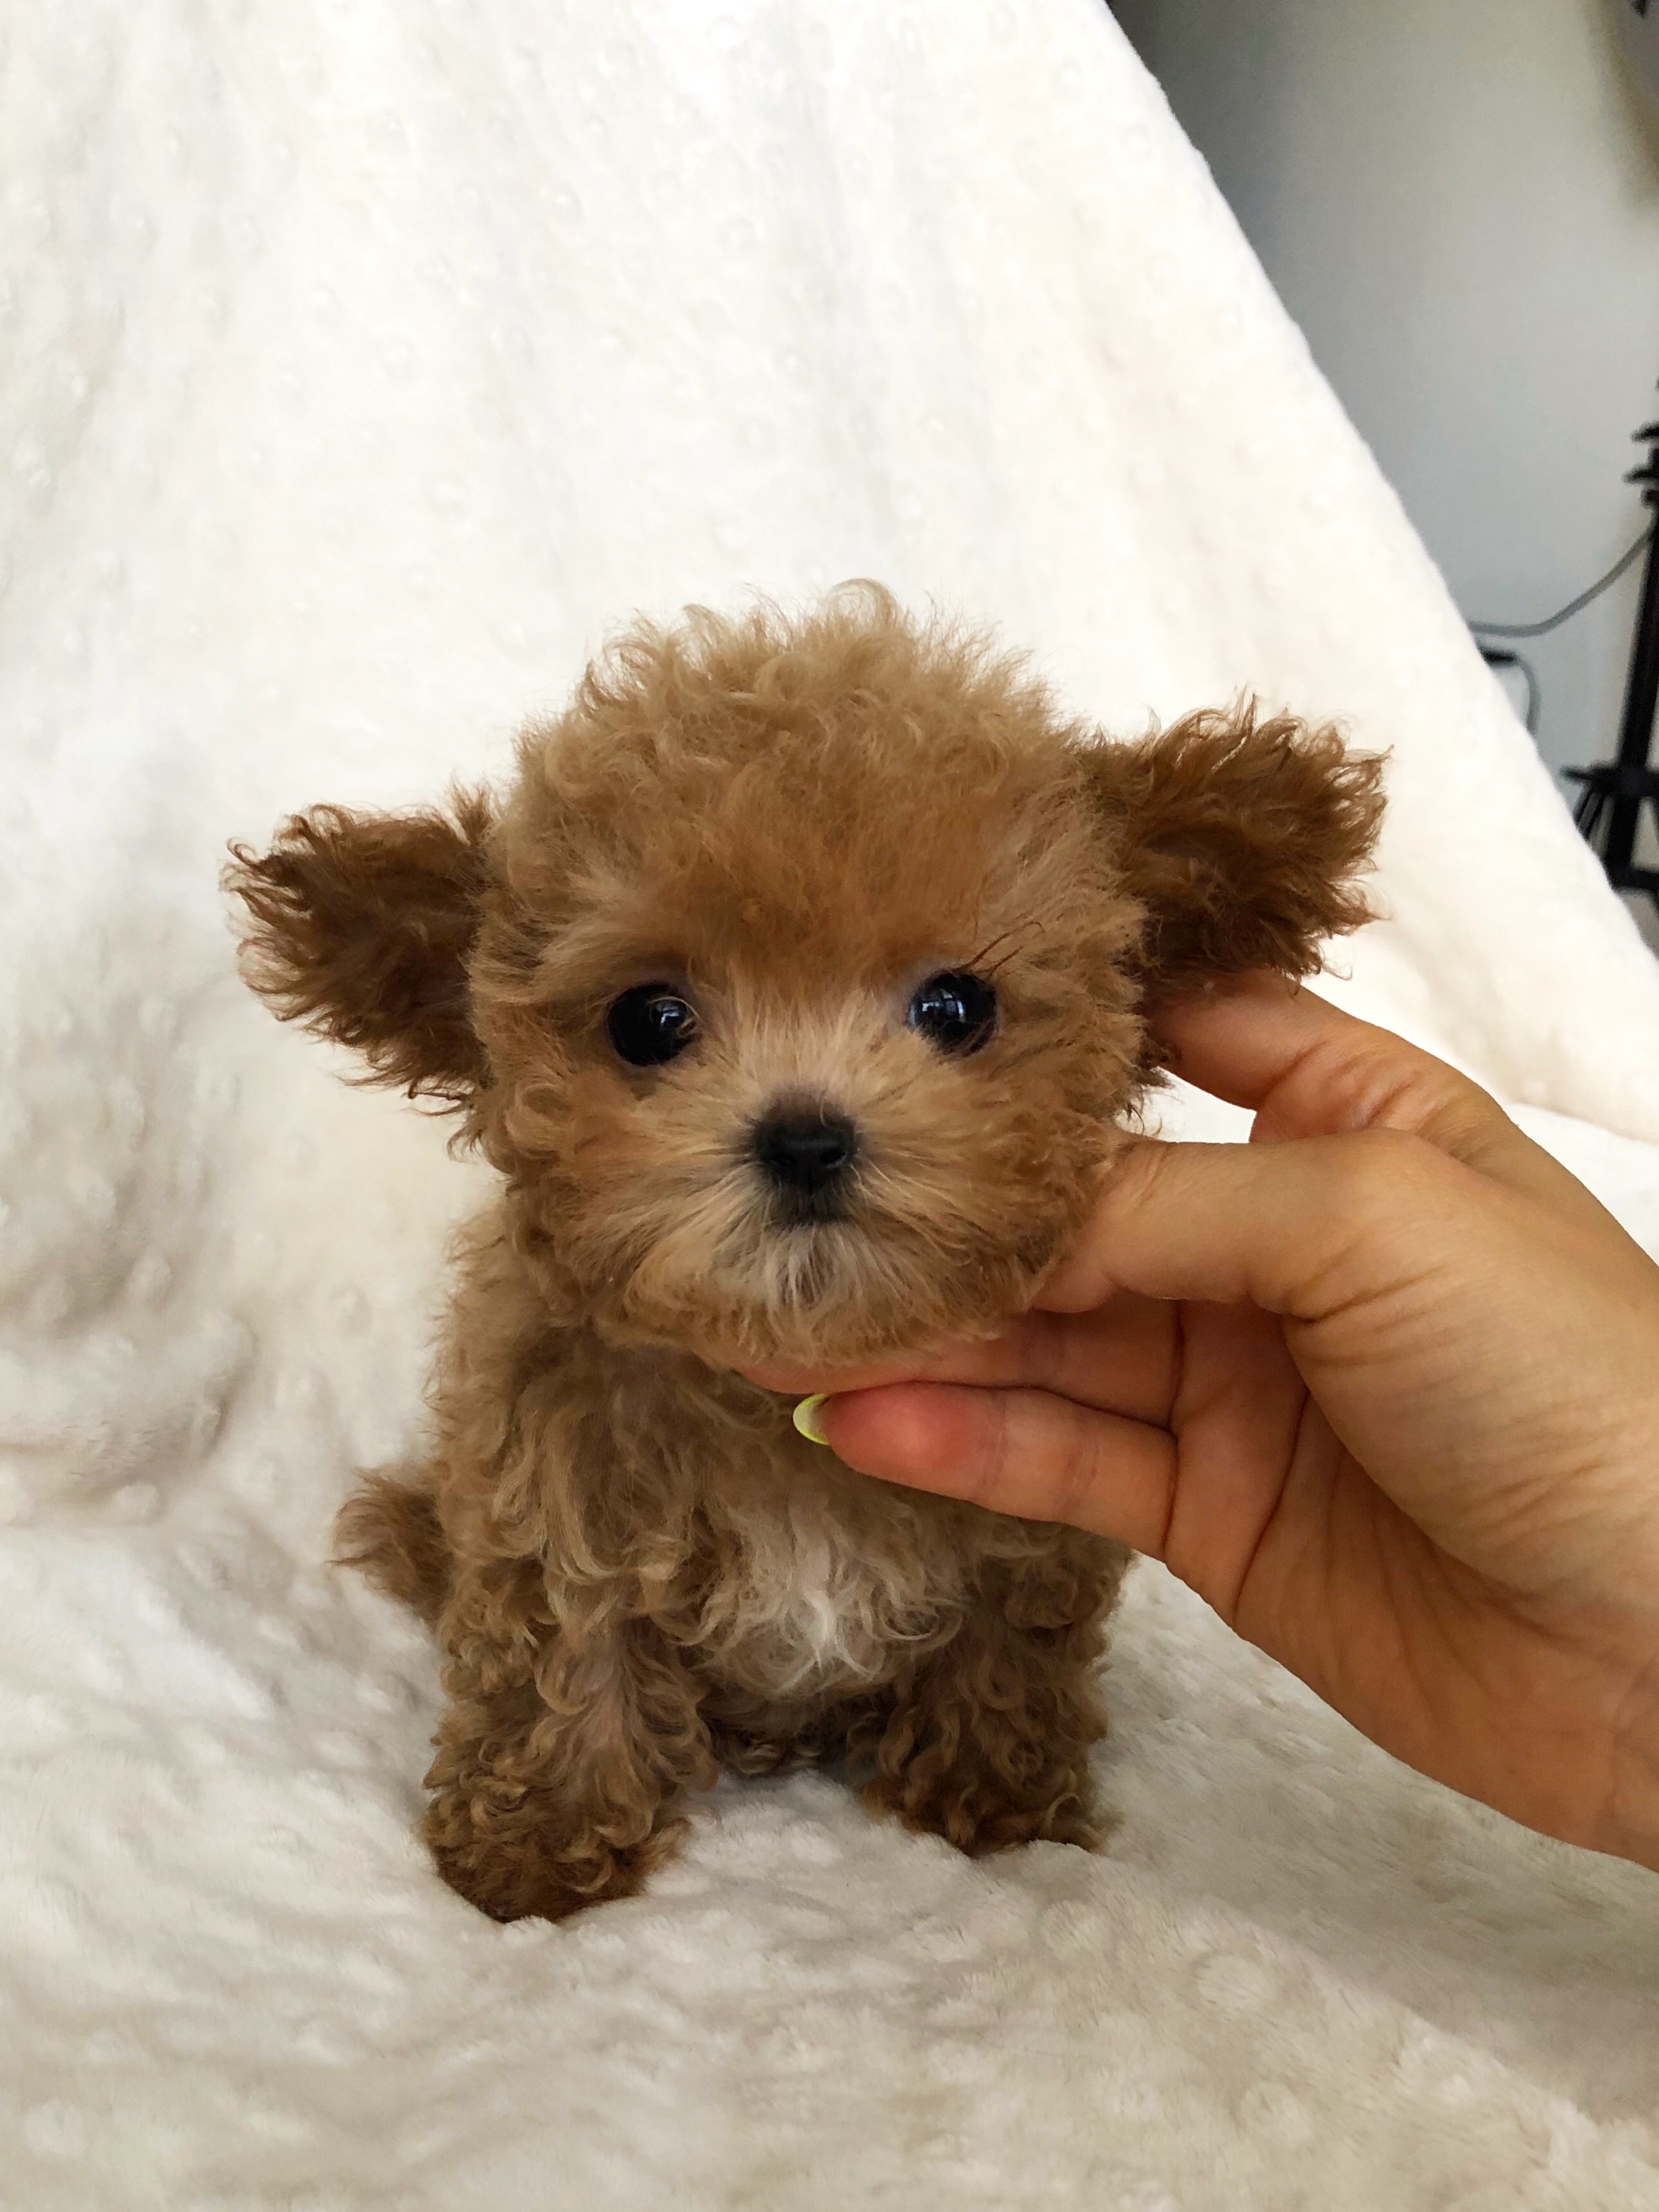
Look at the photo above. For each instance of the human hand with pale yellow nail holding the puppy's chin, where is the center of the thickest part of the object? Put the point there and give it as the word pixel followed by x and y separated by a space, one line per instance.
pixel 1381 1386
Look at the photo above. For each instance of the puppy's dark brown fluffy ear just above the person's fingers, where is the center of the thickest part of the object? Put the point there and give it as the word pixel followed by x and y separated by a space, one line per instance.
pixel 1242 839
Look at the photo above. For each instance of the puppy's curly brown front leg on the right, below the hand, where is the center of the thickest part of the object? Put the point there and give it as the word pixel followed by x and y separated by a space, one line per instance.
pixel 990 1735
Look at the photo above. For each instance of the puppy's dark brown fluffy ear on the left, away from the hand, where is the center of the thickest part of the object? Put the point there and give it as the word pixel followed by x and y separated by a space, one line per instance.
pixel 362 928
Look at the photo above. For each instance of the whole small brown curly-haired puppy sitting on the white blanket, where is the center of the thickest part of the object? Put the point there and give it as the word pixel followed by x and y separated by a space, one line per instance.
pixel 795 990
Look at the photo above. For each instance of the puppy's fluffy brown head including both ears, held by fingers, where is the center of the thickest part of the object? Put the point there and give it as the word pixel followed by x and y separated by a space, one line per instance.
pixel 800 981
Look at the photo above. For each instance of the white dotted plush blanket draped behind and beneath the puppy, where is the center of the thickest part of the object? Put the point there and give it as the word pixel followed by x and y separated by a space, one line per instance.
pixel 362 359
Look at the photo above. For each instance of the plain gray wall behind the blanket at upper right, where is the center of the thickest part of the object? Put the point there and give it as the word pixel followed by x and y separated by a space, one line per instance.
pixel 1459 200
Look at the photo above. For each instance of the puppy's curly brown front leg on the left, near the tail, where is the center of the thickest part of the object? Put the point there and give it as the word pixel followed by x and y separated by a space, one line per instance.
pixel 561 1757
